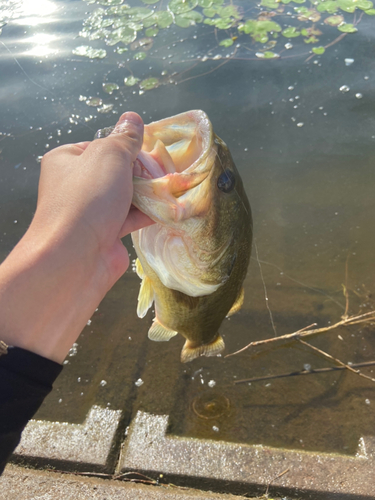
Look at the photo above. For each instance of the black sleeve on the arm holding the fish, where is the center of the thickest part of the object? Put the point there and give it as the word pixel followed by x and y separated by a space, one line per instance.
pixel 25 380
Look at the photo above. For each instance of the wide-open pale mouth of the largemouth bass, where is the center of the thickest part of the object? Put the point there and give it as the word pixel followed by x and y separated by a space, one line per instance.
pixel 175 145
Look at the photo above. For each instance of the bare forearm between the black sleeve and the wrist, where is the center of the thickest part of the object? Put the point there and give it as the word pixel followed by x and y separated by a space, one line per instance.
pixel 49 288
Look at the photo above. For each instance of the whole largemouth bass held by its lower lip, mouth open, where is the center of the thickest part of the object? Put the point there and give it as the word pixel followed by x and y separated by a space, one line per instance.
pixel 194 260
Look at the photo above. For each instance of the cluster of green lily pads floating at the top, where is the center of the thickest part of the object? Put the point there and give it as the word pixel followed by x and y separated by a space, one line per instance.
pixel 261 31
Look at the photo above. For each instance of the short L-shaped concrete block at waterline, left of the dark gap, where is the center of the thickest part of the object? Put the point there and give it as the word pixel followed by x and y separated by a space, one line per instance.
pixel 86 446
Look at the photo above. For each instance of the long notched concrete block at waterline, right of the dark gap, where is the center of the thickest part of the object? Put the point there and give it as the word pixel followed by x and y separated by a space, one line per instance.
pixel 247 469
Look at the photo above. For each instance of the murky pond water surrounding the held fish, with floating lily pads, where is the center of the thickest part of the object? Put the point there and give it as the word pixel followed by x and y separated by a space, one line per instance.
pixel 301 128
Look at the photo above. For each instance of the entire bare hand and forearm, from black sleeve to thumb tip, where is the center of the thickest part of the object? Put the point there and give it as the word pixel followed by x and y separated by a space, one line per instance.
pixel 71 255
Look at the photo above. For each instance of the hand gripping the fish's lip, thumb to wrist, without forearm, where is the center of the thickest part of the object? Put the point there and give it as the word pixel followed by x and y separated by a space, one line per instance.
pixel 86 189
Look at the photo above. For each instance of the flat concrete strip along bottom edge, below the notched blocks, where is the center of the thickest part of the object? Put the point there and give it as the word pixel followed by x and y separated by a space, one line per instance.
pixel 27 484
